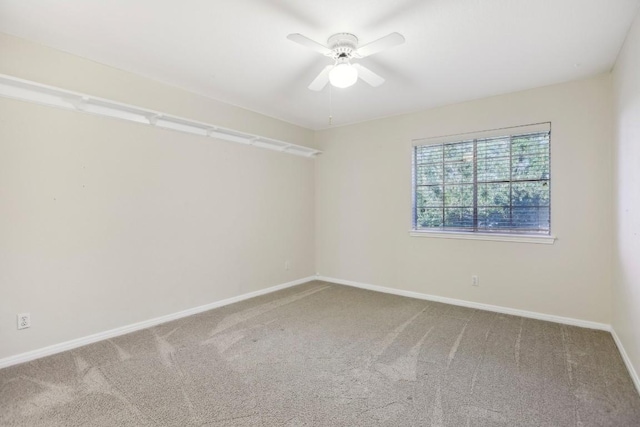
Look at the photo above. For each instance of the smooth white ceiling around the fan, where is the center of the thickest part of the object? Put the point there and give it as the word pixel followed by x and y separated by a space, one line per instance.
pixel 237 51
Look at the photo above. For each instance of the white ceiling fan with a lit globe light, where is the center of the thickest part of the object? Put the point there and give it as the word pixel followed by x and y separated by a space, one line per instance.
pixel 342 48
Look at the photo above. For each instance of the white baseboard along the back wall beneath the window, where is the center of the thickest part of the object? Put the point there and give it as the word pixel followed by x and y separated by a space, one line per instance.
pixel 470 304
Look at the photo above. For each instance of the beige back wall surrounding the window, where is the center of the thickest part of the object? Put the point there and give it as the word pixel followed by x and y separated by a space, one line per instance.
pixel 363 207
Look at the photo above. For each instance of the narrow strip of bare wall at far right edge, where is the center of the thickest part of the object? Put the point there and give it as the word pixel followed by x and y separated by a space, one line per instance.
pixel 626 283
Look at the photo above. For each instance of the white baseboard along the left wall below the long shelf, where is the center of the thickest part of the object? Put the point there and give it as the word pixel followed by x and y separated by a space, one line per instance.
pixel 79 342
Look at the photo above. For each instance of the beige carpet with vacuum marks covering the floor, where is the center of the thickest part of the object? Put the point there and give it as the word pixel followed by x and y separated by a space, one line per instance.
pixel 330 355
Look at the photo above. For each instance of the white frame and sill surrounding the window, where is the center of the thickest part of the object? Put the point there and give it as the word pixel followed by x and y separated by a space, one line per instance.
pixel 471 234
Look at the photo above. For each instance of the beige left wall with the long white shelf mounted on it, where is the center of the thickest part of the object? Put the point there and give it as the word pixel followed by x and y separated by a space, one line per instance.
pixel 105 223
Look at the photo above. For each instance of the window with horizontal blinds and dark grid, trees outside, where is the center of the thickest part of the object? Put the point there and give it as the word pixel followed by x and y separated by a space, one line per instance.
pixel 490 182
